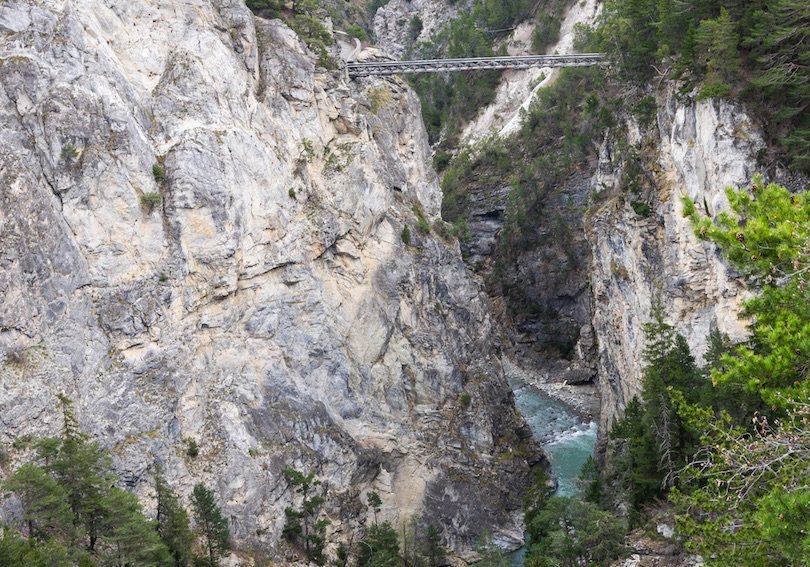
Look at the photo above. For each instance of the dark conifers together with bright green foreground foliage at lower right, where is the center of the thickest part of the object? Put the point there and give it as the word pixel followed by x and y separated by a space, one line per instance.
pixel 729 444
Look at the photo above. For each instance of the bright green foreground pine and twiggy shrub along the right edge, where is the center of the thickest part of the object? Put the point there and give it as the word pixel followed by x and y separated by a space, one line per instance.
pixel 744 498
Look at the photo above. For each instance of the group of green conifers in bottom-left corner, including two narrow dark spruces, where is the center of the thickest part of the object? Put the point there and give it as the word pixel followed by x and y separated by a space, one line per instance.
pixel 72 512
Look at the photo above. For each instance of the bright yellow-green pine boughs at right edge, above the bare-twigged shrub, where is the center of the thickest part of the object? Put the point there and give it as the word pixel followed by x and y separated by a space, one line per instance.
pixel 767 236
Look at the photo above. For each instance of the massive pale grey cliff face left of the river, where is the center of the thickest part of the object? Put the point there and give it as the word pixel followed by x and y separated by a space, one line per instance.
pixel 201 238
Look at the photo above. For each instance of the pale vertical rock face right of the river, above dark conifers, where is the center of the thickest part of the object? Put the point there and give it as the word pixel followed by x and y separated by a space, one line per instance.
pixel 702 149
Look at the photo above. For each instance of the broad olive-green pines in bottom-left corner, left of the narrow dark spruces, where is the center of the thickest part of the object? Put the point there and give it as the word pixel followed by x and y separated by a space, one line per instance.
pixel 72 511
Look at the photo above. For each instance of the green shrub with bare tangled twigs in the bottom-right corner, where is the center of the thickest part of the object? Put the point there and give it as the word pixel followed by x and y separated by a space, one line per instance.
pixel 747 500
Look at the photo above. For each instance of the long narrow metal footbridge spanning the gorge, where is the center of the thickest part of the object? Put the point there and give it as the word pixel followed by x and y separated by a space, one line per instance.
pixel 473 64
